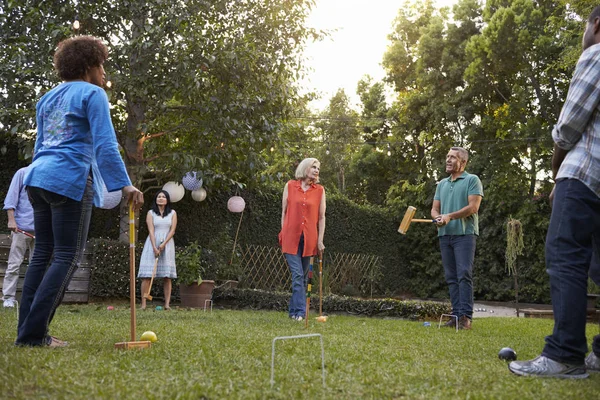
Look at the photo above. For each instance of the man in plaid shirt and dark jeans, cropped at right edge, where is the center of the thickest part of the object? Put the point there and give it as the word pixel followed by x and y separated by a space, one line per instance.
pixel 573 239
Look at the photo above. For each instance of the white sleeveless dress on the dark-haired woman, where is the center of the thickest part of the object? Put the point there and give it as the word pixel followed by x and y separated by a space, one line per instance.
pixel 166 260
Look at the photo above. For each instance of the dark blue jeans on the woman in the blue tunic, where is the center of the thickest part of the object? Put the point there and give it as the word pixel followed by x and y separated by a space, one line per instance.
pixel 61 228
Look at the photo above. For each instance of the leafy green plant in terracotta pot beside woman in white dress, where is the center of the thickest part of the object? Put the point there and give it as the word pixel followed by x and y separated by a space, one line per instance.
pixel 195 273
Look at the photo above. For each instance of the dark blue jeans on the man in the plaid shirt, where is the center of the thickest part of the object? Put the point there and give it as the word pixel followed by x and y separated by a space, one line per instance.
pixel 574 228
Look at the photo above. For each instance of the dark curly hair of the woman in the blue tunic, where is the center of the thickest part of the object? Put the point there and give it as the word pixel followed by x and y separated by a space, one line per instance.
pixel 75 56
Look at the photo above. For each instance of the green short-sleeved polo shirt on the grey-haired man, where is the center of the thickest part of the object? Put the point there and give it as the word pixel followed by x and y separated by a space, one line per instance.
pixel 454 195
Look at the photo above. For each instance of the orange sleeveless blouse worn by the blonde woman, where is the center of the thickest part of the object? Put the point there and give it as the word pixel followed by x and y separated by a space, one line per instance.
pixel 302 216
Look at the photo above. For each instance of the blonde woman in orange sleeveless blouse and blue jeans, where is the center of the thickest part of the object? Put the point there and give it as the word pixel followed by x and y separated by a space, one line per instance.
pixel 302 228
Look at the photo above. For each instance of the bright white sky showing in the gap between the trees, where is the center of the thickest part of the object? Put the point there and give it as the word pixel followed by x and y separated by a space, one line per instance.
pixel 354 50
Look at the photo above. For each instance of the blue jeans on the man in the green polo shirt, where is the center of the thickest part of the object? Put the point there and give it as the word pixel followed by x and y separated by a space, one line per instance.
pixel 458 254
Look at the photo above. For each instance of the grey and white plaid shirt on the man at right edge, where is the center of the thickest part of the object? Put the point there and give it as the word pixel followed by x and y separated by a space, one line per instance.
pixel 578 127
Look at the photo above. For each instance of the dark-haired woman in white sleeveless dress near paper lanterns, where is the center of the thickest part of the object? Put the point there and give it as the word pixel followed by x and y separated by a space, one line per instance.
pixel 162 222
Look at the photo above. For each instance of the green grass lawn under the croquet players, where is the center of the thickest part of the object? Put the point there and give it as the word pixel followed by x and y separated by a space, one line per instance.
pixel 227 354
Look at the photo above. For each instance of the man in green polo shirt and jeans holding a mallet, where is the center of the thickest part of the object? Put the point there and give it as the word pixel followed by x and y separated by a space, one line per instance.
pixel 455 207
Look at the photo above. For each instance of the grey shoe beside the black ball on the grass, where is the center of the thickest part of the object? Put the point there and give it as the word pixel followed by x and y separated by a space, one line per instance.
pixel 544 367
